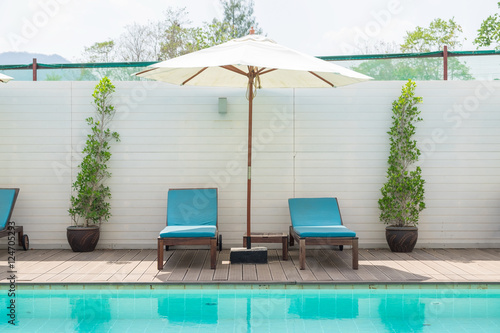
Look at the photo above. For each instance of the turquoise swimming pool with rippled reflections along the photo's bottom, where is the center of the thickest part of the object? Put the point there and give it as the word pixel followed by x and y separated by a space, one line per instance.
pixel 252 308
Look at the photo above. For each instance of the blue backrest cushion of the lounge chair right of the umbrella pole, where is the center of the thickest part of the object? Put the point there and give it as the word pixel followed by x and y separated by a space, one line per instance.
pixel 314 212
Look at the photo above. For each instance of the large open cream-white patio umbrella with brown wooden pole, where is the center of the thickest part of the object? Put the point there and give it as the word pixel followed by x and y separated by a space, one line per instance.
pixel 251 62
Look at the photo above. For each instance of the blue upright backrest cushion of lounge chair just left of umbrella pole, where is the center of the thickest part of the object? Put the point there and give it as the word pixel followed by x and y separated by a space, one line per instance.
pixel 192 207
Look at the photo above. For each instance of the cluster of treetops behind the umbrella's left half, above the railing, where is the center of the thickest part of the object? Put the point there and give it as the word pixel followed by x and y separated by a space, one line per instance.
pixel 174 36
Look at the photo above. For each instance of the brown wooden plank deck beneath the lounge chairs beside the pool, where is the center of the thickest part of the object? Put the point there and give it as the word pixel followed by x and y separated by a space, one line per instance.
pixel 193 266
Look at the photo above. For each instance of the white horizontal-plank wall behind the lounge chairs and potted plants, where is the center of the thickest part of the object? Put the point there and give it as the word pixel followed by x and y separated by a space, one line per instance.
pixel 307 143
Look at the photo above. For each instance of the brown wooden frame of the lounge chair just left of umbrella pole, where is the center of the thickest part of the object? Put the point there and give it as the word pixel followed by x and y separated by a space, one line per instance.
pixel 213 242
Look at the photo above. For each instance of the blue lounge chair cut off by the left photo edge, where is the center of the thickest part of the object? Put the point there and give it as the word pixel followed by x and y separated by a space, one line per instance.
pixel 8 197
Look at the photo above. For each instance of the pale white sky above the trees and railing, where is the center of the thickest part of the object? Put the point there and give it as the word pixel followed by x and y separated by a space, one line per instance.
pixel 316 27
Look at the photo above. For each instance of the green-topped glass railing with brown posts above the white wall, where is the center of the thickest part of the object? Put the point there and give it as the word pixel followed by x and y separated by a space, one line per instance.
pixel 438 65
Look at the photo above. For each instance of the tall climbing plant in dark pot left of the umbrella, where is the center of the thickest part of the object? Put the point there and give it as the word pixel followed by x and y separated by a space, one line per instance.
pixel 89 206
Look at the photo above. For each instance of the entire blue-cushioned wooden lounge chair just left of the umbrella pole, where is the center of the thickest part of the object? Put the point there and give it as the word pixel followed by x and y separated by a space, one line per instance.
pixel 191 220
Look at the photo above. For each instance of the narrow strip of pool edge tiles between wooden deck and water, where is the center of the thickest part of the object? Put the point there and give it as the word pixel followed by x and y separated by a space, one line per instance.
pixel 245 286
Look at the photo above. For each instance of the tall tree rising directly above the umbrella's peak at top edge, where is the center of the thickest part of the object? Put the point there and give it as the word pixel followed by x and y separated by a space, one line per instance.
pixel 239 15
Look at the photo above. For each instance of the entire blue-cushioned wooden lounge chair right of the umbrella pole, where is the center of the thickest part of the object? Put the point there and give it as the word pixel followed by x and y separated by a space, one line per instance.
pixel 317 221
